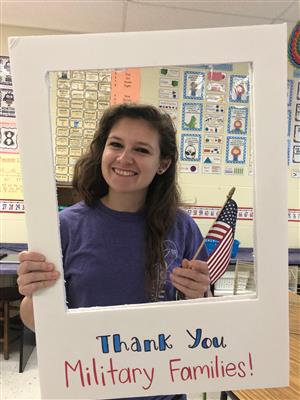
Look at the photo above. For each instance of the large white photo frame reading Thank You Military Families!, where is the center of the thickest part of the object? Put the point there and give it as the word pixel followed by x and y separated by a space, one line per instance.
pixel 244 342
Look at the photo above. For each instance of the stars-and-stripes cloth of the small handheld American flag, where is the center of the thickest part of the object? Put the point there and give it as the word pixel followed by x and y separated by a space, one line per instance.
pixel 222 231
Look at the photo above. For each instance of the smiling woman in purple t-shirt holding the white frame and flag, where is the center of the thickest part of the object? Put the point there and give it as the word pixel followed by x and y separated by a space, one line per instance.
pixel 127 241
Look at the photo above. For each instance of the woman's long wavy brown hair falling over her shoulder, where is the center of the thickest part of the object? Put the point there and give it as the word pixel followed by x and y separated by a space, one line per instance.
pixel 162 199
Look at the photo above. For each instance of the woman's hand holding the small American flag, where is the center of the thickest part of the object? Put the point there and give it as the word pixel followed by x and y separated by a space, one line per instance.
pixel 192 279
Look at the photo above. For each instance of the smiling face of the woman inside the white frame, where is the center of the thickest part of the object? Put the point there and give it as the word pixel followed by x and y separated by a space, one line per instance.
pixel 131 156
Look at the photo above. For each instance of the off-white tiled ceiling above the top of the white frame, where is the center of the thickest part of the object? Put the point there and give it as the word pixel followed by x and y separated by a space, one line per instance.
pixel 107 15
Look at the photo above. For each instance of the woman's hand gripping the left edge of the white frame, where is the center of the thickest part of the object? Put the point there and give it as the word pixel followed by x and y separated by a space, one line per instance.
pixel 35 273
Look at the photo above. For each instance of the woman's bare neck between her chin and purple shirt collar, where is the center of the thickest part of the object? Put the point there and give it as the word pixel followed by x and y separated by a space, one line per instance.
pixel 125 202
